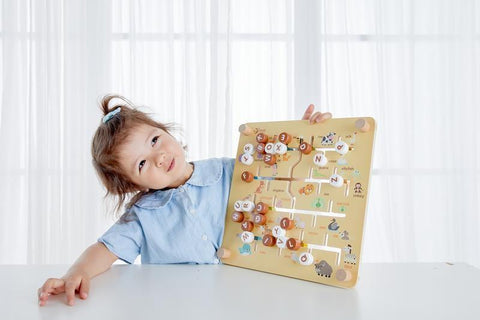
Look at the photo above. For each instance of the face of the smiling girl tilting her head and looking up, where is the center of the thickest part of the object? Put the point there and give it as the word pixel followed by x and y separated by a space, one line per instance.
pixel 153 159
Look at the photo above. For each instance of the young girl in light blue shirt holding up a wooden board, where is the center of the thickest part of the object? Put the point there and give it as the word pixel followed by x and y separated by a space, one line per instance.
pixel 177 212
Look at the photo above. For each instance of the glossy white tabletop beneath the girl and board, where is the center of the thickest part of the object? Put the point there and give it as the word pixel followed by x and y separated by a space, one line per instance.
pixel 384 291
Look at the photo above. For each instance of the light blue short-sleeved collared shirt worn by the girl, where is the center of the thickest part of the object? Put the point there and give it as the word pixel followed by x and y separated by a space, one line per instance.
pixel 181 225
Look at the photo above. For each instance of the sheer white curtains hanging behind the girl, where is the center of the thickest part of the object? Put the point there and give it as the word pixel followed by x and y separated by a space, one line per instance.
pixel 212 65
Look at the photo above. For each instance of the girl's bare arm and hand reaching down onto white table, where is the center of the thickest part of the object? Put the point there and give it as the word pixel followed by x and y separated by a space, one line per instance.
pixel 93 261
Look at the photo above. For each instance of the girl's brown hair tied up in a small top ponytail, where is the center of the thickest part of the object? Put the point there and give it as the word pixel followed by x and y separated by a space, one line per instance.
pixel 106 141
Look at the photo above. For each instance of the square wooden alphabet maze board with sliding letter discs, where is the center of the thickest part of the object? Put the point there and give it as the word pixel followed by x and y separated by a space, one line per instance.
pixel 314 224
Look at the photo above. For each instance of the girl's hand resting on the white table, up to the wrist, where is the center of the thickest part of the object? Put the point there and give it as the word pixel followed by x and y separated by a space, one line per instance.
pixel 78 282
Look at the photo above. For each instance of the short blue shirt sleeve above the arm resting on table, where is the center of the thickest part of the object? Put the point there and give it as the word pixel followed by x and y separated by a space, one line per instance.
pixel 124 238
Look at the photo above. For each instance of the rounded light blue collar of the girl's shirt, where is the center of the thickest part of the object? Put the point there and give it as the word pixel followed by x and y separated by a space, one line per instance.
pixel 205 173
